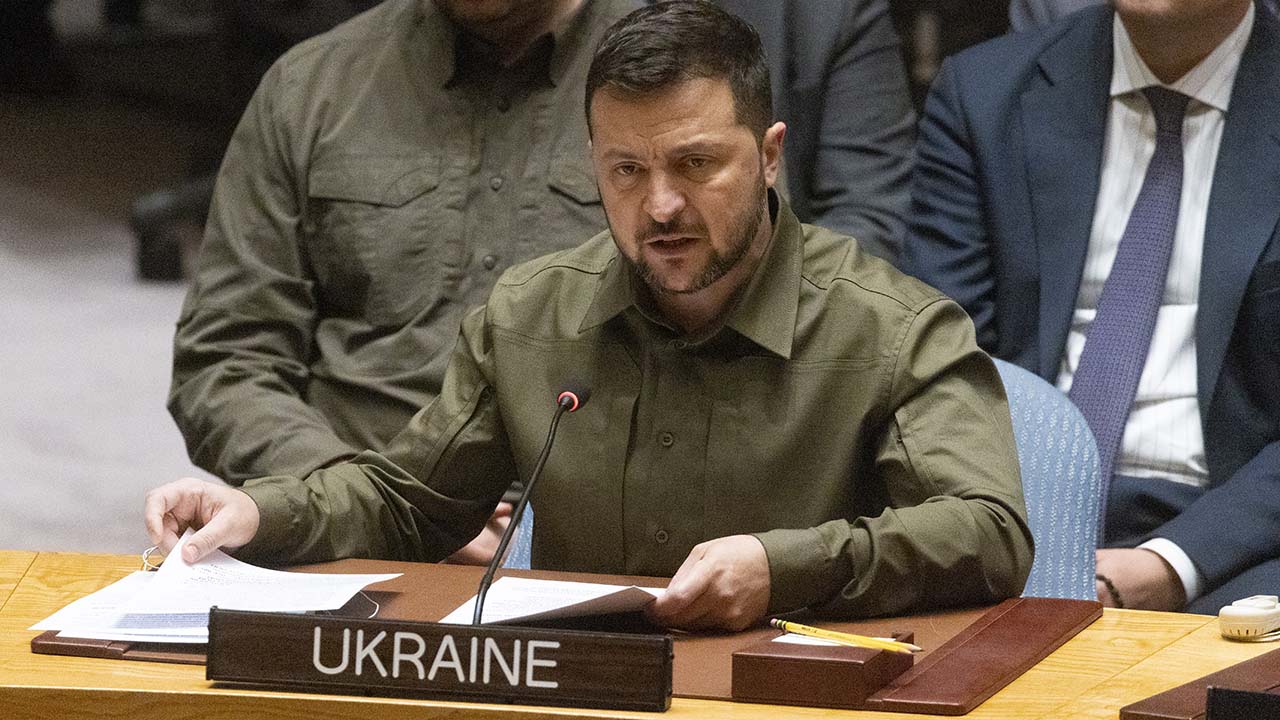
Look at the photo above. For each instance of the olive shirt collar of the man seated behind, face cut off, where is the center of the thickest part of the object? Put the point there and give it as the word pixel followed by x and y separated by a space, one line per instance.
pixel 566 40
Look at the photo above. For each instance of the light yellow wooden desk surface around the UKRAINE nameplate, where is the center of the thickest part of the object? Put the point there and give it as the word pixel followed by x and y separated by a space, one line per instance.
pixel 1123 658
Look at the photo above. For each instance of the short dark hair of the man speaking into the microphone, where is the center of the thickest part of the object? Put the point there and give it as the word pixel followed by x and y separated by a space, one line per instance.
pixel 660 47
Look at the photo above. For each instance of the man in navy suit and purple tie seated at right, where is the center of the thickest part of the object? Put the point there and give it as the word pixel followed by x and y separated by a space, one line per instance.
pixel 1103 198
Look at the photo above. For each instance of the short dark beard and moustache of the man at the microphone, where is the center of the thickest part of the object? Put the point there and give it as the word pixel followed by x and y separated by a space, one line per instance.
pixel 742 233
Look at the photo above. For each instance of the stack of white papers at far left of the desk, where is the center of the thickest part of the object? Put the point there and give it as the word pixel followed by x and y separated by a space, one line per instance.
pixel 172 605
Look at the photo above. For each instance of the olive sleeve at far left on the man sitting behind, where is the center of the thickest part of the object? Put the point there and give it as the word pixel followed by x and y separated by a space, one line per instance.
pixel 246 332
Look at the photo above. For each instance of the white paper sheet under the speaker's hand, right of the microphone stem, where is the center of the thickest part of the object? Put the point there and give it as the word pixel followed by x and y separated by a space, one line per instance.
pixel 527 599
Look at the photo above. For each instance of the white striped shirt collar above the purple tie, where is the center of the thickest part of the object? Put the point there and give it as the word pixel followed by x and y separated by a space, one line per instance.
pixel 1209 83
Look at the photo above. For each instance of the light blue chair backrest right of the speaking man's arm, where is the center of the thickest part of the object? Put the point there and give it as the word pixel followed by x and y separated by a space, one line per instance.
pixel 1062 482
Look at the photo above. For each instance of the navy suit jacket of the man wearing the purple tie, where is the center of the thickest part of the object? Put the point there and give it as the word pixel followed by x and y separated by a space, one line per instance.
pixel 1008 174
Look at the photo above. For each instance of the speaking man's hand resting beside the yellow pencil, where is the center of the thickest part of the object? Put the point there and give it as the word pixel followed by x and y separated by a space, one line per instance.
pixel 724 584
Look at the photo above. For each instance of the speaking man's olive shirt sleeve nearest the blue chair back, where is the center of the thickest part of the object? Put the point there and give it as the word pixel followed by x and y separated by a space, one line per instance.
pixel 956 530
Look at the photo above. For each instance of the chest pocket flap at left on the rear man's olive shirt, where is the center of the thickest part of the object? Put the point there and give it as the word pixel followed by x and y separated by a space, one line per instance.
pixel 390 181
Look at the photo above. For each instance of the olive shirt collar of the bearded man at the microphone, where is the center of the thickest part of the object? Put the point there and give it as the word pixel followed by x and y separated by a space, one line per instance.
pixel 765 313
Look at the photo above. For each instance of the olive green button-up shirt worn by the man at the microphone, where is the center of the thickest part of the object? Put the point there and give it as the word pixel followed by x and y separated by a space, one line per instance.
pixel 843 413
